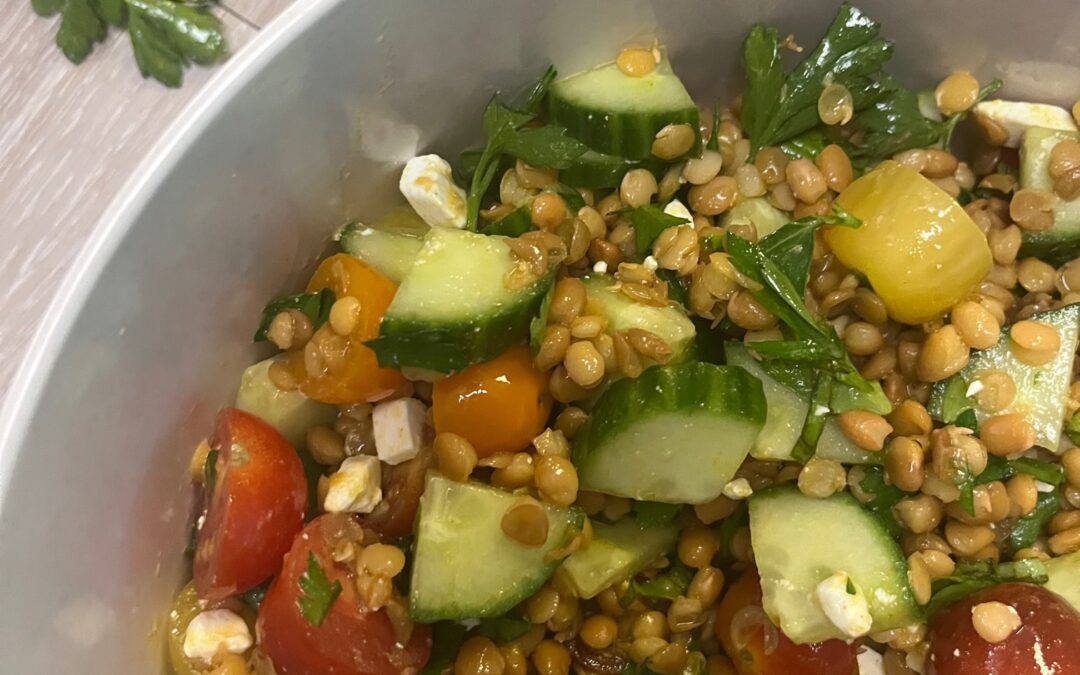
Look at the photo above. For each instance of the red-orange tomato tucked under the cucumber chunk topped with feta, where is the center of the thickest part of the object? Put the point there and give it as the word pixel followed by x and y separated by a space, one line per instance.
pixel 744 599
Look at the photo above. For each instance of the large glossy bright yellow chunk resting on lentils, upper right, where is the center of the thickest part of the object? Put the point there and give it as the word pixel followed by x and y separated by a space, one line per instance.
pixel 920 250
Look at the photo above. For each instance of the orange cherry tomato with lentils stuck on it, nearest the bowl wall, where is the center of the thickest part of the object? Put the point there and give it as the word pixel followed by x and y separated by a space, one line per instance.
pixel 354 375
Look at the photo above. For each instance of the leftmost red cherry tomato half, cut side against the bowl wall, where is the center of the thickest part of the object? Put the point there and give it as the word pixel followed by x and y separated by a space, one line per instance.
pixel 256 508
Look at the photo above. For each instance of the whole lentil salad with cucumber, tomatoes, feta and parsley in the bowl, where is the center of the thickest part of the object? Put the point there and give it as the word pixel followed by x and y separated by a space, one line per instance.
pixel 781 385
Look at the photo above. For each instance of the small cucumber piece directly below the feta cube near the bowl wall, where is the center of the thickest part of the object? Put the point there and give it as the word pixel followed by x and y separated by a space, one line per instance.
pixel 390 246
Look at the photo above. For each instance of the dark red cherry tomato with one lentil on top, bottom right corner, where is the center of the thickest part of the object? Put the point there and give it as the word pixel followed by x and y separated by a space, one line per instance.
pixel 1048 640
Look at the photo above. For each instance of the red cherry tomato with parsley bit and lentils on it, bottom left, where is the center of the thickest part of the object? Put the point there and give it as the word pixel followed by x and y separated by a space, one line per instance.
pixel 350 641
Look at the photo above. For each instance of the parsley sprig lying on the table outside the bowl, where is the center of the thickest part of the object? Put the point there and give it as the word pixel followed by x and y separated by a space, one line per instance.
pixel 167 35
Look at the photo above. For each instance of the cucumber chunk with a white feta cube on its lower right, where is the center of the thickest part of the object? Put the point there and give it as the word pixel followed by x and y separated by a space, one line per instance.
pixel 800 542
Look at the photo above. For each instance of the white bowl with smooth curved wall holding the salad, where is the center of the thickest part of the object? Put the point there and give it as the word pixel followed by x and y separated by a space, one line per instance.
pixel 308 126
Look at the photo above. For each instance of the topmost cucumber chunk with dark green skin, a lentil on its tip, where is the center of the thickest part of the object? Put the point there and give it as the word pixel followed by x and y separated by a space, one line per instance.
pixel 618 115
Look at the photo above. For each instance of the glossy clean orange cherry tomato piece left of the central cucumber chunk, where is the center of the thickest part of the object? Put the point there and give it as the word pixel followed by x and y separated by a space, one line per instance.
pixel 499 406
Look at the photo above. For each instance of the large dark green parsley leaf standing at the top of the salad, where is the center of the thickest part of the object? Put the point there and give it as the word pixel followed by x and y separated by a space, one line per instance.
pixel 852 53
